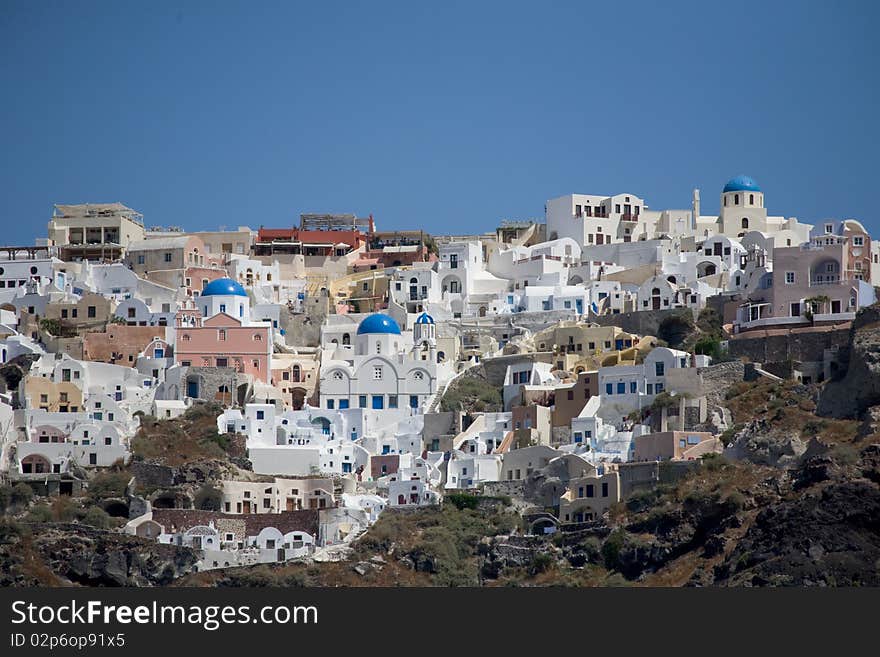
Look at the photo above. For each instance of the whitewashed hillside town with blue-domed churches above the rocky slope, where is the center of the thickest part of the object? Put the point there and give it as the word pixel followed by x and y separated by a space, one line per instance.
pixel 267 394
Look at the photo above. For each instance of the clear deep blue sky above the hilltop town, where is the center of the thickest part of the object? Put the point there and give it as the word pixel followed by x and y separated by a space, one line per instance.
pixel 446 116
